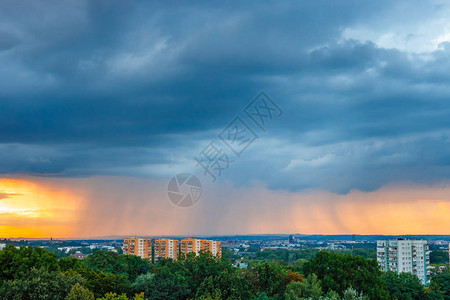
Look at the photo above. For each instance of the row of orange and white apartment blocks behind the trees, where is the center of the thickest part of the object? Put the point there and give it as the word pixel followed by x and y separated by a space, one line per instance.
pixel 168 248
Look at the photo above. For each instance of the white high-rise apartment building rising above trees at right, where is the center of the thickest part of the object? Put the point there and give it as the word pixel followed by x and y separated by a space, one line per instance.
pixel 404 255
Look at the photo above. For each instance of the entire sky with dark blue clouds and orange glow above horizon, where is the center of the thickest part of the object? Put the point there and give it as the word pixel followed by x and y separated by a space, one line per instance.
pixel 103 102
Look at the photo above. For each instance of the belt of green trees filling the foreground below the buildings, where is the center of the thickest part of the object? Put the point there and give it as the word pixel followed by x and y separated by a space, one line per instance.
pixel 35 273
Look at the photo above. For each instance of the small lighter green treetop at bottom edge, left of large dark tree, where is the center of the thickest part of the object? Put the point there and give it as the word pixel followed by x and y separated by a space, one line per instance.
pixel 309 288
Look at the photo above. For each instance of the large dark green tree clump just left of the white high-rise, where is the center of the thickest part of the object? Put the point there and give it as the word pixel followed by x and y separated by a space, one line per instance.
pixel 338 272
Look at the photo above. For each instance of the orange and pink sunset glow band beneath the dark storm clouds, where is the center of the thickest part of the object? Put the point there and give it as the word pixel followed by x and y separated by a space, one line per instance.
pixel 51 208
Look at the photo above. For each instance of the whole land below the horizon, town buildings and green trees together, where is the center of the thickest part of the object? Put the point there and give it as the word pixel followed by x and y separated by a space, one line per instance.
pixel 256 267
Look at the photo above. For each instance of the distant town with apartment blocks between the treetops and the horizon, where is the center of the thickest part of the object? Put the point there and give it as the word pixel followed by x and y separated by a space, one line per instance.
pixel 395 253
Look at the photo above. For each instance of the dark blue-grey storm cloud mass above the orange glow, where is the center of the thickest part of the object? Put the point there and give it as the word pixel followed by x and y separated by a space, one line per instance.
pixel 138 89
